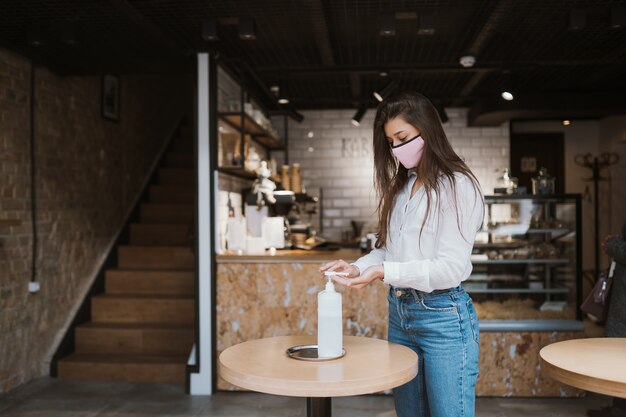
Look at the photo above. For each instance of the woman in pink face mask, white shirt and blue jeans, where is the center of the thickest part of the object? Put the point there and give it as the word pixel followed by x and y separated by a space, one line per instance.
pixel 430 208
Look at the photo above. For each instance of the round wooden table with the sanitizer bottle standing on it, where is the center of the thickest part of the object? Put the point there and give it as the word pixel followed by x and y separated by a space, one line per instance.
pixel 370 365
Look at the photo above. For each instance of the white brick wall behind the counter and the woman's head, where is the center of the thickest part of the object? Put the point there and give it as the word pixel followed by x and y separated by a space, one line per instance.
pixel 339 159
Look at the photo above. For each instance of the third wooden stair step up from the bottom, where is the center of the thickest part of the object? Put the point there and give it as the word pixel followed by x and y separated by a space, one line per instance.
pixel 137 308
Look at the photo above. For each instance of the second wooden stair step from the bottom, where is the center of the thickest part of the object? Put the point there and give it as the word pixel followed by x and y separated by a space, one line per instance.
pixel 146 339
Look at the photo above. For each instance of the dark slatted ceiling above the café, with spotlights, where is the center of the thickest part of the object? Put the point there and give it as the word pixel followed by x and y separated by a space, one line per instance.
pixel 328 53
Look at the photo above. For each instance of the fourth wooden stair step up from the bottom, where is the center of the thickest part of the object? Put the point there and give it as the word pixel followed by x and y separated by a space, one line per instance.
pixel 119 281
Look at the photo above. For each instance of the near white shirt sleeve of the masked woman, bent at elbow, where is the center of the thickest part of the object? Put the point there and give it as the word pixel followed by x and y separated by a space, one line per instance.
pixel 451 263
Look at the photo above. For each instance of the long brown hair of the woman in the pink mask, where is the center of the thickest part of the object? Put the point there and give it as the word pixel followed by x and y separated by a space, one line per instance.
pixel 439 161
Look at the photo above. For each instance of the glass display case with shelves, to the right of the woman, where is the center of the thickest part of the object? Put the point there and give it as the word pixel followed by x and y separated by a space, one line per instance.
pixel 526 263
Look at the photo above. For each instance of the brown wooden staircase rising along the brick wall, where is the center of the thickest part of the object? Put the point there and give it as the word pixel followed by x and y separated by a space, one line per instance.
pixel 142 326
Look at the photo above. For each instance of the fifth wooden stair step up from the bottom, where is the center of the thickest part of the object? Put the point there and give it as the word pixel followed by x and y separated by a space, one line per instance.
pixel 155 257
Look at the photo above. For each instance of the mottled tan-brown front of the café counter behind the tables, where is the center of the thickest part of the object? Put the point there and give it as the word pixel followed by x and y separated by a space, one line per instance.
pixel 261 297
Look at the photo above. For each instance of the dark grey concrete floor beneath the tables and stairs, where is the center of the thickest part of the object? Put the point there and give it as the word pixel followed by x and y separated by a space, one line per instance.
pixel 49 397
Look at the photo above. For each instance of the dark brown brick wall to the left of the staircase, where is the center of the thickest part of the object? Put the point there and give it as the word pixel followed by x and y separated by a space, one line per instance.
pixel 88 172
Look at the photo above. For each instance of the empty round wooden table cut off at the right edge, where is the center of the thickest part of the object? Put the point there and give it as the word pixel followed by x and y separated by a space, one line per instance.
pixel 597 365
